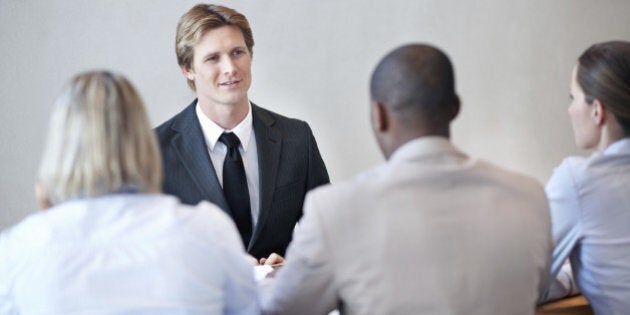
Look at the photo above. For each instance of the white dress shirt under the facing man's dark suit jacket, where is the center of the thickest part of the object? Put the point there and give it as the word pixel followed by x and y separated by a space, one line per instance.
pixel 217 150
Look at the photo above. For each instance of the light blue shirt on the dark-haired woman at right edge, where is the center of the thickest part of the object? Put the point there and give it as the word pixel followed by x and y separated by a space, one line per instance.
pixel 590 212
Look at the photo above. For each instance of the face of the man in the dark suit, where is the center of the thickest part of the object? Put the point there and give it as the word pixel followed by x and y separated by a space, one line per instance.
pixel 221 67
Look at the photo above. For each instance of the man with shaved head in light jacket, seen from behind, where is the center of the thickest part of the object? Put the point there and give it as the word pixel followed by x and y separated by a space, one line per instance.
pixel 431 231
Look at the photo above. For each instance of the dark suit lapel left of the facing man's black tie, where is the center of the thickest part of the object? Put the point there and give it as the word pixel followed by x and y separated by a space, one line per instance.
pixel 191 149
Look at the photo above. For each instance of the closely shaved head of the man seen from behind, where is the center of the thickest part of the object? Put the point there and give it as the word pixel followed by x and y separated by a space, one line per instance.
pixel 416 84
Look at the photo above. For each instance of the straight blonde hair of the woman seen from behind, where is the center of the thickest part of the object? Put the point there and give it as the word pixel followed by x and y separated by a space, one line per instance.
pixel 99 141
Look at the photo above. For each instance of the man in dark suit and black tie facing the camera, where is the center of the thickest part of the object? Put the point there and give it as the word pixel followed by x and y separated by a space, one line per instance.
pixel 254 164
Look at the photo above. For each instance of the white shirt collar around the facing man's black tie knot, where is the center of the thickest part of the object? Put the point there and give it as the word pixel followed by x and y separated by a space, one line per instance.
pixel 212 131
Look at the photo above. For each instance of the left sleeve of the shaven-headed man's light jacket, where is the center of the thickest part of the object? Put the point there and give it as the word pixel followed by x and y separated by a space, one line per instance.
pixel 304 285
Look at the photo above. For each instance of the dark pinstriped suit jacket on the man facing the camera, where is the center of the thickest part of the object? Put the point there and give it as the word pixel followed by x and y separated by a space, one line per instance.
pixel 289 165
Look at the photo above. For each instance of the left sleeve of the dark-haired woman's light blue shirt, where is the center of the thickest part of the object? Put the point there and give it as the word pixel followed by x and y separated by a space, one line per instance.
pixel 564 204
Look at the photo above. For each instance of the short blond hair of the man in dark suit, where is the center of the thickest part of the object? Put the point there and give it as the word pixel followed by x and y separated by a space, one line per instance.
pixel 200 19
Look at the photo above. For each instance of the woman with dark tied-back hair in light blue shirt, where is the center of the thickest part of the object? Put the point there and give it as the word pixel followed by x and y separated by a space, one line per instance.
pixel 590 197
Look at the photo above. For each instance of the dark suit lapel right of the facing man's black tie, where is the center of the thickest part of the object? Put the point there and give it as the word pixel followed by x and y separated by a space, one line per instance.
pixel 268 144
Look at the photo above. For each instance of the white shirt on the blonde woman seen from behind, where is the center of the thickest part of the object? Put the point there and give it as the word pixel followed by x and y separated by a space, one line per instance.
pixel 126 254
